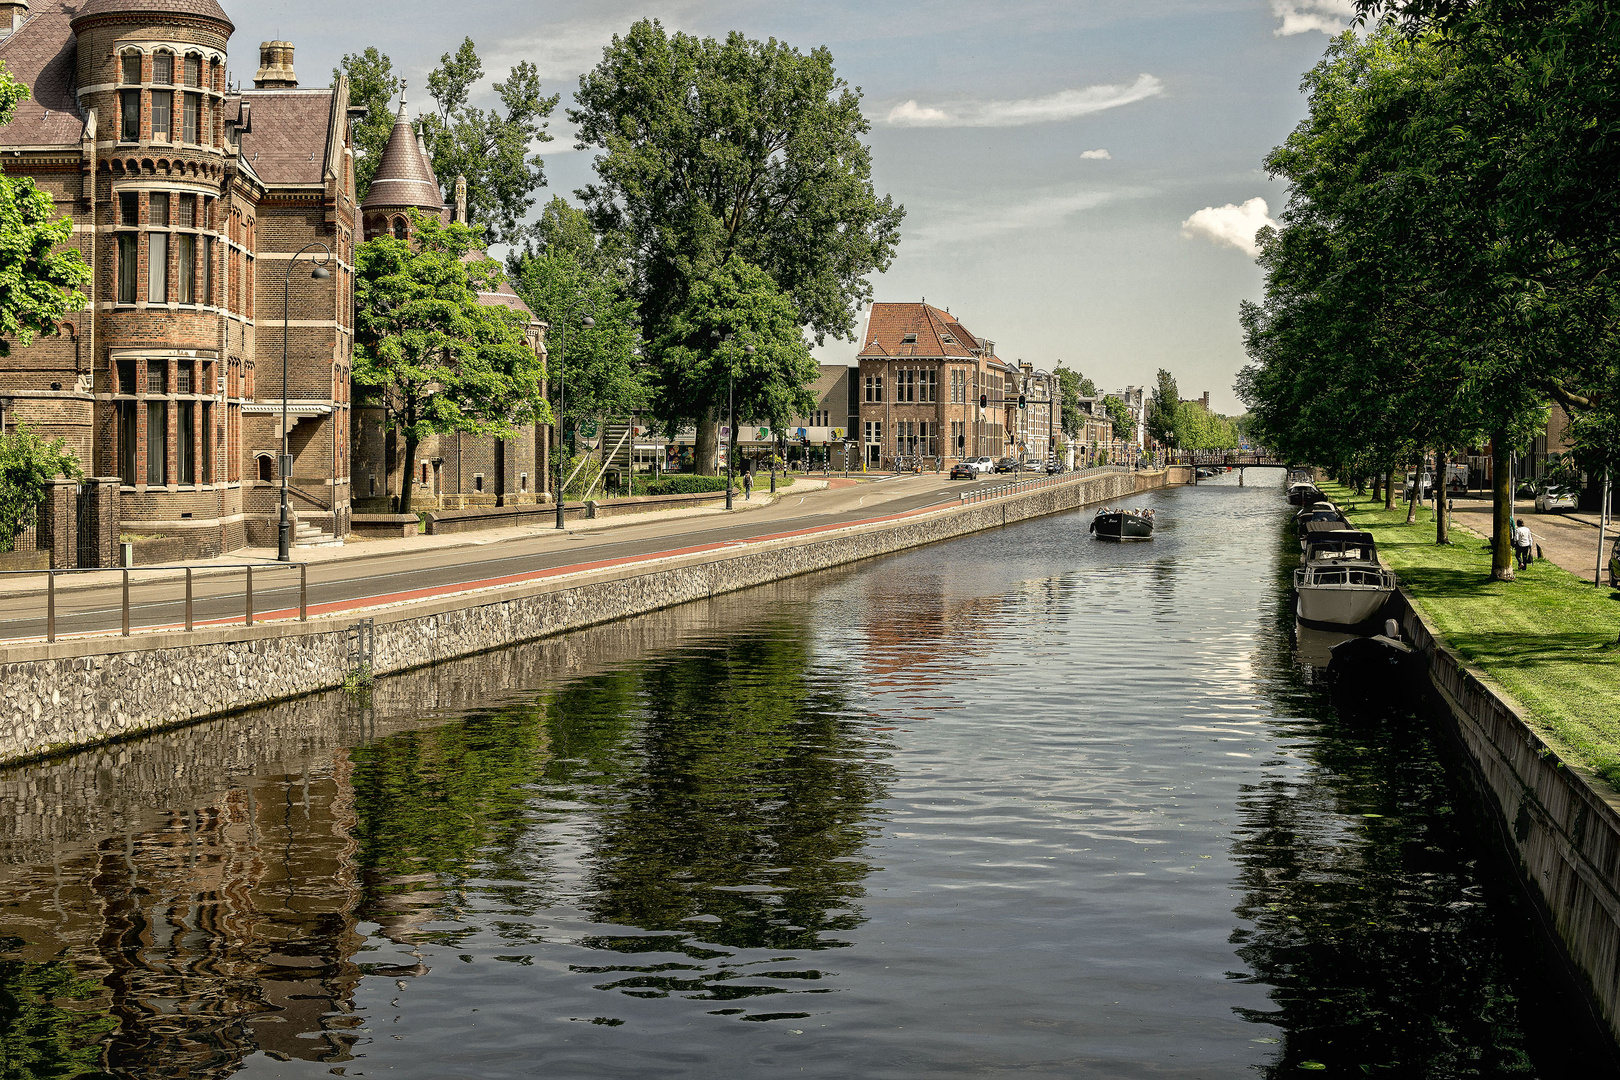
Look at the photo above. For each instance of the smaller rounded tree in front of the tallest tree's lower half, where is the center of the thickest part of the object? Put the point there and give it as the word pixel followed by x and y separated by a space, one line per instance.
pixel 706 342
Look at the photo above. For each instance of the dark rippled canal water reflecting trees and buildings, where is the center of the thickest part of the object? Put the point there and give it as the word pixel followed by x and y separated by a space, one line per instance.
pixel 1017 804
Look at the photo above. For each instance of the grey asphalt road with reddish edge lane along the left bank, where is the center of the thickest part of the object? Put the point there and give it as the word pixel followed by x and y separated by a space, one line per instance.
pixel 220 595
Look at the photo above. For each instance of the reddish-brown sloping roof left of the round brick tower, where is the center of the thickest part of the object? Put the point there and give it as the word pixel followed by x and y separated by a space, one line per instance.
pixel 41 56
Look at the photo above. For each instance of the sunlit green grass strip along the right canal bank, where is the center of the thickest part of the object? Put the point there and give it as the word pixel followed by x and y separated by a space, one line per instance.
pixel 1550 639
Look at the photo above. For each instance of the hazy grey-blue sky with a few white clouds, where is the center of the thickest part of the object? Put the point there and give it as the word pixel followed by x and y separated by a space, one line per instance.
pixel 1081 179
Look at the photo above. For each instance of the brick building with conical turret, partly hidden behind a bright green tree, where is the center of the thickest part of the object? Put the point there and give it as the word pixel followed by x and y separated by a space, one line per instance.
pixel 451 472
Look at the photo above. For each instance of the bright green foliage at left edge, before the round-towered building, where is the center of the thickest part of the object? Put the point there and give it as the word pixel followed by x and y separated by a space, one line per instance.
pixel 40 278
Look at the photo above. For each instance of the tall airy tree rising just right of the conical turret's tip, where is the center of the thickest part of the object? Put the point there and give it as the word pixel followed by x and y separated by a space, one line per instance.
pixel 492 148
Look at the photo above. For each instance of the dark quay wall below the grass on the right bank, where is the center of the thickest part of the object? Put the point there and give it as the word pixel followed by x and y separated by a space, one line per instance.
pixel 1558 820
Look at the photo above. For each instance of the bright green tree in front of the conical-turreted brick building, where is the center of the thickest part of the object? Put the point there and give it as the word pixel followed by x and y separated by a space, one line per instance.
pixel 445 362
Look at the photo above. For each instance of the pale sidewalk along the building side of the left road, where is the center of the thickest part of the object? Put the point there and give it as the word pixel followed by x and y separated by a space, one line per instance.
pixel 359 548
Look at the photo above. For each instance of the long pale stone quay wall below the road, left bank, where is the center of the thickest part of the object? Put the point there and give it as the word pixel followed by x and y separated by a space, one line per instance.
pixel 77 694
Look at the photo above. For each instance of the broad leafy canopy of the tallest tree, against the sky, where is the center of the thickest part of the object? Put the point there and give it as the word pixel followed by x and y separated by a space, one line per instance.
pixel 735 150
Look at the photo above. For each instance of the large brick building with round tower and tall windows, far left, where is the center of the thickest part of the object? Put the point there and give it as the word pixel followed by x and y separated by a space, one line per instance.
pixel 190 202
